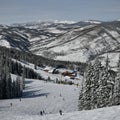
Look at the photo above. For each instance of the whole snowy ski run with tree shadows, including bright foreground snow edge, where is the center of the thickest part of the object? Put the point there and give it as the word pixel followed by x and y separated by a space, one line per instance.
pixel 50 97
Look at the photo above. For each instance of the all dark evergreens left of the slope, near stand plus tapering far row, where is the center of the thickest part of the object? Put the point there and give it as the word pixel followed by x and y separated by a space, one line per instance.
pixel 11 87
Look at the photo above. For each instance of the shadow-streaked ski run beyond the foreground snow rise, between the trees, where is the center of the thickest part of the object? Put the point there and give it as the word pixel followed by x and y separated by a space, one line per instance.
pixel 39 95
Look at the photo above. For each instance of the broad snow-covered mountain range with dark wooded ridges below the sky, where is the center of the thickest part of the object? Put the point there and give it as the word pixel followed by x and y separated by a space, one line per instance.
pixel 69 41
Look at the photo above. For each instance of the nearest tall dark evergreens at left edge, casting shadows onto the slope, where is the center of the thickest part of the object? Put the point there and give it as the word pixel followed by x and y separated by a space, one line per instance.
pixel 9 88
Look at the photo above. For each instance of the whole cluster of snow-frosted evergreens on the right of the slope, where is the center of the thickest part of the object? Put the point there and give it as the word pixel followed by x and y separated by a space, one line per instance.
pixel 101 86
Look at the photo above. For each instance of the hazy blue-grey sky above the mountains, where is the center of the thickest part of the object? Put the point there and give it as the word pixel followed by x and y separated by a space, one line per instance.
pixel 19 11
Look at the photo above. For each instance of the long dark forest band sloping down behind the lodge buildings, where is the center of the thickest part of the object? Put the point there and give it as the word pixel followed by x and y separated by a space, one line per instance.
pixel 41 61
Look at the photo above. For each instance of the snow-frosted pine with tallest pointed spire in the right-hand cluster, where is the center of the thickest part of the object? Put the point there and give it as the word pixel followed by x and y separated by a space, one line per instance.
pixel 106 85
